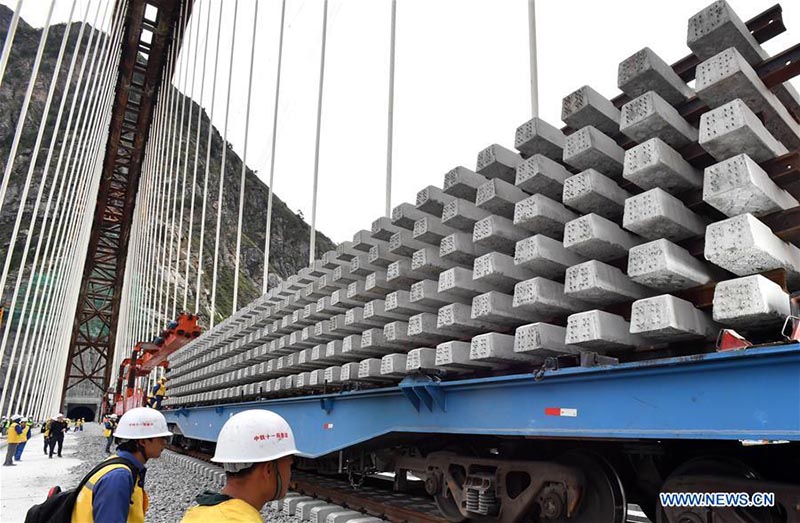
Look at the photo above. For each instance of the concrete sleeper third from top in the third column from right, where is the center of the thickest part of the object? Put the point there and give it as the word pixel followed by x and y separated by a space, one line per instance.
pixel 592 192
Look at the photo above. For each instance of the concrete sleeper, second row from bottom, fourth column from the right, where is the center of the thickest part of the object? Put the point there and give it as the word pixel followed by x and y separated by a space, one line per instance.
pixel 545 299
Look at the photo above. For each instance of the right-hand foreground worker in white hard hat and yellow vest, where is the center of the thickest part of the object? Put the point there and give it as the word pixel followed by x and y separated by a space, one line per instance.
pixel 255 448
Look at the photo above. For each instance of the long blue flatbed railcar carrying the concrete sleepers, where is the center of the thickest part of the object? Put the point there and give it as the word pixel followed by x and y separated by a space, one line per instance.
pixel 646 426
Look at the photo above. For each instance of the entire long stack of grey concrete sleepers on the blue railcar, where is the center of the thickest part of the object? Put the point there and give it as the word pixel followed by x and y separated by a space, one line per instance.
pixel 645 226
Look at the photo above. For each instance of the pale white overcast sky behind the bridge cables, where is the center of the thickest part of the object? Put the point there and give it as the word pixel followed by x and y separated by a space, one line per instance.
pixel 462 82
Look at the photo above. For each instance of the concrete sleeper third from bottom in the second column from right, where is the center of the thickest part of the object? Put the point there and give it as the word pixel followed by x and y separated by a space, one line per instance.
pixel 657 214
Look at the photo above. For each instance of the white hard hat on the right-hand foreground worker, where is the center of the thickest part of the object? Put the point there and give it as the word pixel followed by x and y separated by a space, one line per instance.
pixel 254 436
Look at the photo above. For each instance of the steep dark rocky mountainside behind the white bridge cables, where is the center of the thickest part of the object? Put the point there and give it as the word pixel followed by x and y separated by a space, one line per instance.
pixel 290 233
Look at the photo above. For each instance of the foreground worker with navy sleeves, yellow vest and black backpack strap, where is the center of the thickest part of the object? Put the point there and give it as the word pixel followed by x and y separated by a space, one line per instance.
pixel 116 493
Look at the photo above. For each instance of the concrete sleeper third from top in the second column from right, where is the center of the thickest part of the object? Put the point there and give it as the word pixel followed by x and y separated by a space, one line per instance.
pixel 654 164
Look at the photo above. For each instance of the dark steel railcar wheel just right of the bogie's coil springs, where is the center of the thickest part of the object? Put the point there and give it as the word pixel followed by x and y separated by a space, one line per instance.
pixel 604 496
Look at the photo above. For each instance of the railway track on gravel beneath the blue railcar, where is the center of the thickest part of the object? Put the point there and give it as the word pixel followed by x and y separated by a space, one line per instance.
pixel 375 497
